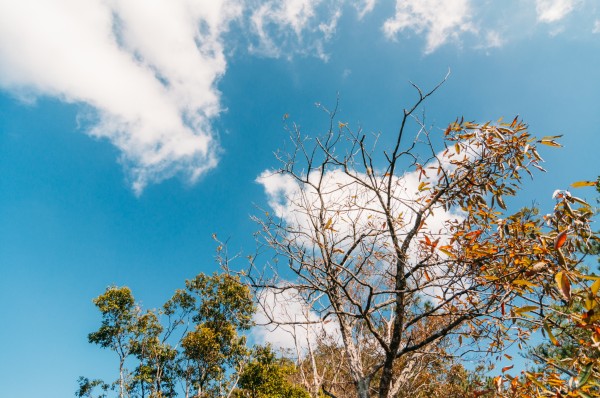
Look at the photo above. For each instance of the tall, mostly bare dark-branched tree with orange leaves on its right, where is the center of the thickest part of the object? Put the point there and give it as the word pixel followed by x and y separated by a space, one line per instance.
pixel 411 248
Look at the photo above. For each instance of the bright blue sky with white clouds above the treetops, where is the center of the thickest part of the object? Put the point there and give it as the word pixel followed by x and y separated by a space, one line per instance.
pixel 132 130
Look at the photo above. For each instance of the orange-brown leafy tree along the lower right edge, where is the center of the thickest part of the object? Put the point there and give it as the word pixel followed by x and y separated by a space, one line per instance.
pixel 568 361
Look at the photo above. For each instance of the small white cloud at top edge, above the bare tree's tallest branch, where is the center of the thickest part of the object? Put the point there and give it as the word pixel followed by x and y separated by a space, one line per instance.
pixel 440 19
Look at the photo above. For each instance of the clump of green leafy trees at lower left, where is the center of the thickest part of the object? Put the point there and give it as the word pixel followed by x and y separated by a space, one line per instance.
pixel 194 340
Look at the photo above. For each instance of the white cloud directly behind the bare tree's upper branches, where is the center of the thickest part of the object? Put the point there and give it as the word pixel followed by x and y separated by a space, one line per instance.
pixel 353 209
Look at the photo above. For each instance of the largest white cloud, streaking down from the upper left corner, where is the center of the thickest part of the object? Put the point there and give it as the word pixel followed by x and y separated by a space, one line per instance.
pixel 147 68
